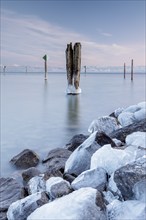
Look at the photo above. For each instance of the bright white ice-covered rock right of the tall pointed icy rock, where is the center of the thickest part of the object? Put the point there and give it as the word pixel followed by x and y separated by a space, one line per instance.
pixel 111 159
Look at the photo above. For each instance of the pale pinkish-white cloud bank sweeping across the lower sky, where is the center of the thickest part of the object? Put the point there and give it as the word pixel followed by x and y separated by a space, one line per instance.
pixel 26 39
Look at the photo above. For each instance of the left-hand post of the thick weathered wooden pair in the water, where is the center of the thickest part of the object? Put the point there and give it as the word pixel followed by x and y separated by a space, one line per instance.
pixel 69 63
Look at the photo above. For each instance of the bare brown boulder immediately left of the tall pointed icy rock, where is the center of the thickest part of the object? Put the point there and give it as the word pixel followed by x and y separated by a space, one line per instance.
pixel 56 159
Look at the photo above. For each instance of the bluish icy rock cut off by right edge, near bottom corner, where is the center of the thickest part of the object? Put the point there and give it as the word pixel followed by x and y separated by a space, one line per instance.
pixel 139 191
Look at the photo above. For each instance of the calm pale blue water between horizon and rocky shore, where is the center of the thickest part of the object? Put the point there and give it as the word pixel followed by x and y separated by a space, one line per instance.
pixel 38 115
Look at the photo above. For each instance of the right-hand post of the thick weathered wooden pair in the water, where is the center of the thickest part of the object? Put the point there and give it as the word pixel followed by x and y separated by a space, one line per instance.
pixel 77 64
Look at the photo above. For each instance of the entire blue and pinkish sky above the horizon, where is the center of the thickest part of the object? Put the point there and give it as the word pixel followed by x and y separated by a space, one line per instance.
pixel 111 32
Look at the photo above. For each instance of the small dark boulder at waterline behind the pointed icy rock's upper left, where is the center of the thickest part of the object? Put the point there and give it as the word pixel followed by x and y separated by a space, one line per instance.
pixel 76 141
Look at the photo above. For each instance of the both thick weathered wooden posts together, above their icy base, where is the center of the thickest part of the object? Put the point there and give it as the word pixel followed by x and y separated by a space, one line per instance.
pixel 73 64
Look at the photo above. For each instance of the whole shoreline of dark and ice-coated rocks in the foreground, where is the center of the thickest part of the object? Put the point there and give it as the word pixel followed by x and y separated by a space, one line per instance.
pixel 97 176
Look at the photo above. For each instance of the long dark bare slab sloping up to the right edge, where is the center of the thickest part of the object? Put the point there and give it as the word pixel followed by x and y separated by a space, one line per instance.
pixel 122 133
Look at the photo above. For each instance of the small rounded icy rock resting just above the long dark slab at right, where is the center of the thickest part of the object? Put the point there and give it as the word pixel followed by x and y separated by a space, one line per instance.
pixel 126 118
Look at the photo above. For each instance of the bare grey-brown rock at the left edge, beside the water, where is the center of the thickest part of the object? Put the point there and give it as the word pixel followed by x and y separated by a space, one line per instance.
pixel 10 191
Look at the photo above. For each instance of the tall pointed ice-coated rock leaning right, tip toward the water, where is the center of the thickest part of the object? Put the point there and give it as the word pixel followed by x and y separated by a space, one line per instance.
pixel 79 160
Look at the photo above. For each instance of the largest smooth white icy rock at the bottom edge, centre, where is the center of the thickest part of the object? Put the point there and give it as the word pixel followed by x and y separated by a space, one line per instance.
pixel 80 204
